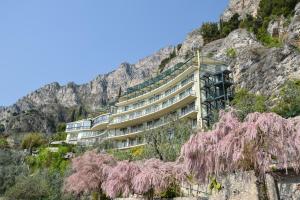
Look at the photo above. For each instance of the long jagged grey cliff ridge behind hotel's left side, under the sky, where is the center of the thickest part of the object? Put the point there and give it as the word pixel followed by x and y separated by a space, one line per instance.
pixel 42 109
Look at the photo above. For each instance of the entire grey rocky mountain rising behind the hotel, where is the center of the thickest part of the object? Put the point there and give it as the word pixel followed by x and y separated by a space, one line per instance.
pixel 256 67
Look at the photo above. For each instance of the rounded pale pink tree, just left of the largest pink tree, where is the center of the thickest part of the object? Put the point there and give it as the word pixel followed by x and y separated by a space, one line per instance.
pixel 155 177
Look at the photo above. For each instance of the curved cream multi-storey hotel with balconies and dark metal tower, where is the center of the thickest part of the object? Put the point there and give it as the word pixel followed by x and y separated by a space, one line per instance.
pixel 193 90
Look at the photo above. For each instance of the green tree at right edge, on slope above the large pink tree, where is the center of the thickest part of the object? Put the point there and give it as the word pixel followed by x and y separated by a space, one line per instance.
pixel 289 100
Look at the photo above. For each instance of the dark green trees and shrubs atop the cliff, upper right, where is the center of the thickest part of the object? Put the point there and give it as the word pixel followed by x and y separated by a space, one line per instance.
pixel 268 10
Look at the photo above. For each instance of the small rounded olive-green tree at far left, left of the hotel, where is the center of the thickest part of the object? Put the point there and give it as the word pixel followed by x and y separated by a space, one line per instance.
pixel 32 141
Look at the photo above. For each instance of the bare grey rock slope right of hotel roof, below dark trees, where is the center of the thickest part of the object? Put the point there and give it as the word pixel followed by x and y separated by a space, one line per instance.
pixel 259 69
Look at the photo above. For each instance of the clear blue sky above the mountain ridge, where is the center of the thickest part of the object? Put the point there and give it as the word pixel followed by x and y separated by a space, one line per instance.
pixel 44 41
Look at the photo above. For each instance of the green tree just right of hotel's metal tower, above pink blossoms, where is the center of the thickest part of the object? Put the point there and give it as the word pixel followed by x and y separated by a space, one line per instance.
pixel 247 102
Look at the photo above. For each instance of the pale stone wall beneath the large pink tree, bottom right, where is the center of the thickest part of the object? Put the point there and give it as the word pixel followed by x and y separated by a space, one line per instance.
pixel 279 186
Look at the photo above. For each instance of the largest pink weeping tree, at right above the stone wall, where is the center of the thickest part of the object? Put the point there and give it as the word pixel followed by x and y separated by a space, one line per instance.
pixel 261 141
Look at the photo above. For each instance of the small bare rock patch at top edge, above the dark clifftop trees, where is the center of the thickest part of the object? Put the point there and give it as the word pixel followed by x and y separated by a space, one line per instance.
pixel 242 7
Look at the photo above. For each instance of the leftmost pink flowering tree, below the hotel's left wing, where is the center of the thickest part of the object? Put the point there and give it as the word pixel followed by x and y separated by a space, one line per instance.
pixel 89 171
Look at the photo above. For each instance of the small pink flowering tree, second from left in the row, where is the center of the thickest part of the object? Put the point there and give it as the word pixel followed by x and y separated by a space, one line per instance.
pixel 119 181
